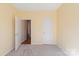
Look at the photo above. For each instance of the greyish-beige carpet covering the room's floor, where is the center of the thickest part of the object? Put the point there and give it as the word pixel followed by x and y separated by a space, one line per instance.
pixel 37 50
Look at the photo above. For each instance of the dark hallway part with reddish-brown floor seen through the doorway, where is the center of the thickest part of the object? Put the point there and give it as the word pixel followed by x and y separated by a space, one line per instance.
pixel 28 40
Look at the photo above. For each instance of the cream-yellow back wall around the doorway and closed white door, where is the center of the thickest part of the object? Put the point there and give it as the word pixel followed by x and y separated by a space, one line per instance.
pixel 36 23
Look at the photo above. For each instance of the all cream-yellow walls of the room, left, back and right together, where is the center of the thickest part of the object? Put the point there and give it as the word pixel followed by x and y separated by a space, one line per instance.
pixel 67 32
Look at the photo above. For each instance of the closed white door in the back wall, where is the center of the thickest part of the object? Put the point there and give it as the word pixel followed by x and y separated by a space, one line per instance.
pixel 47 31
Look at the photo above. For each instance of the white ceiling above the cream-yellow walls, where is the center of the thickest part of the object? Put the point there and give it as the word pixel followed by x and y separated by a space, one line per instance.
pixel 37 6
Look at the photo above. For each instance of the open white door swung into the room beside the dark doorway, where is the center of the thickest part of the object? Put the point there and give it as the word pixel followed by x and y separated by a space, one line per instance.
pixel 17 32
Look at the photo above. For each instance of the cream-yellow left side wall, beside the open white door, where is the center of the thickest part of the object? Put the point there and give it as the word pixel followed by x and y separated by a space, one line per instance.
pixel 7 12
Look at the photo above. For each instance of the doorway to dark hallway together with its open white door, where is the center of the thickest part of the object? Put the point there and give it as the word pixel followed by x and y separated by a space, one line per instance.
pixel 22 32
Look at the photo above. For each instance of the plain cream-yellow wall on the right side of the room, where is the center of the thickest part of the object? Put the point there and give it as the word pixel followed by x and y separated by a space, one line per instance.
pixel 68 28
